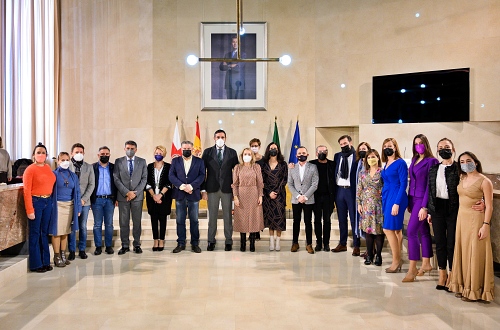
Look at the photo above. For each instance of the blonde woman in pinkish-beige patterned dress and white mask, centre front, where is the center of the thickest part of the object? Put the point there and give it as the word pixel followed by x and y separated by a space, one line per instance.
pixel 247 191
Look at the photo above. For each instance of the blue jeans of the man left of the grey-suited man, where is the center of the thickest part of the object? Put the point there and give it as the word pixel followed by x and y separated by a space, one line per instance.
pixel 103 209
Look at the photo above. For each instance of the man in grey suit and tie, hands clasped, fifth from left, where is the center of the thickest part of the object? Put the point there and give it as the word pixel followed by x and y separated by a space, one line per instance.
pixel 130 176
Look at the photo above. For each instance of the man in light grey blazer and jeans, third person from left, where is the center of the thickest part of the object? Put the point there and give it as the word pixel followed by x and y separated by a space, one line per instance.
pixel 85 173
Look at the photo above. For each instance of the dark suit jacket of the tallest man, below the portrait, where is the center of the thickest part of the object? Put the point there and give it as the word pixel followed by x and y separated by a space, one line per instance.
pixel 219 177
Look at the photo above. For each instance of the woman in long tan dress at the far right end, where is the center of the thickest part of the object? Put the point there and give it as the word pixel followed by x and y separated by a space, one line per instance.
pixel 472 276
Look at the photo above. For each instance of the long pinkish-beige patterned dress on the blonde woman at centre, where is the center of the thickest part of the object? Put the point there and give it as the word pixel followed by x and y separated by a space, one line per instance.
pixel 247 186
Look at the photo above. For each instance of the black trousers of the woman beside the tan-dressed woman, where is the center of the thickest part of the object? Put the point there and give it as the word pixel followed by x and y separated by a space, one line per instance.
pixel 444 225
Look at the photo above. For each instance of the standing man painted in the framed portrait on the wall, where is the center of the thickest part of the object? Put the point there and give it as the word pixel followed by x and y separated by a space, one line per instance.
pixel 235 73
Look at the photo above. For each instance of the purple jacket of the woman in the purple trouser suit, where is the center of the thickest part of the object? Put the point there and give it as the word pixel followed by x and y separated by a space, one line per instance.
pixel 419 179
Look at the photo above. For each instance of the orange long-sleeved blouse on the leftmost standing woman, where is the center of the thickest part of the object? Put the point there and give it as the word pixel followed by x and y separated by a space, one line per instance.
pixel 37 180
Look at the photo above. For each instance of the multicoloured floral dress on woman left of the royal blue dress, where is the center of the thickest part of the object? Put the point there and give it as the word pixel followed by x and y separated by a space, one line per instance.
pixel 369 196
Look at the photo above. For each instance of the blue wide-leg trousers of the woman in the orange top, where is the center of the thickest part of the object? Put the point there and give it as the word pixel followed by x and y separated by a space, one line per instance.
pixel 39 231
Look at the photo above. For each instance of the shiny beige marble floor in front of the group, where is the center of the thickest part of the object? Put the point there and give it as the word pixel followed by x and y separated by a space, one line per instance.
pixel 233 290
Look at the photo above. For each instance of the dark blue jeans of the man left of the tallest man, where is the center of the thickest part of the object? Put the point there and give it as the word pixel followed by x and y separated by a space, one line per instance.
pixel 180 218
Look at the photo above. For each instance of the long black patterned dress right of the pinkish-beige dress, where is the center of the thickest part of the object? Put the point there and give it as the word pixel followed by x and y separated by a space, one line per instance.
pixel 274 209
